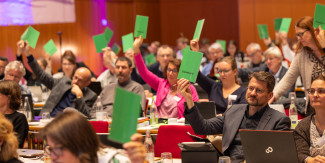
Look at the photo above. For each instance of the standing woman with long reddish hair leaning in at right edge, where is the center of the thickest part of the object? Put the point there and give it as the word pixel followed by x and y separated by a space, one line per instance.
pixel 309 61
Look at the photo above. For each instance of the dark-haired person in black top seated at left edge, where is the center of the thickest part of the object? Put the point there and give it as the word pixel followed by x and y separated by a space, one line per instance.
pixel 10 101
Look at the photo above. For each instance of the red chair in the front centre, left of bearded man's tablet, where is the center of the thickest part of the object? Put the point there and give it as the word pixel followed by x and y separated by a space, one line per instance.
pixel 169 136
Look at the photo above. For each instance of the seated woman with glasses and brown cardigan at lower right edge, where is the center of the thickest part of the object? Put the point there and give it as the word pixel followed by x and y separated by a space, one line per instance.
pixel 310 133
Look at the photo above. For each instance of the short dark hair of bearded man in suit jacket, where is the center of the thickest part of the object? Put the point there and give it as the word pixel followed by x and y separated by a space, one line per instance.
pixel 264 77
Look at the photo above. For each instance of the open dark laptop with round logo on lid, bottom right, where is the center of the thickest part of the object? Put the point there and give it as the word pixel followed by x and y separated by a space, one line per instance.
pixel 268 146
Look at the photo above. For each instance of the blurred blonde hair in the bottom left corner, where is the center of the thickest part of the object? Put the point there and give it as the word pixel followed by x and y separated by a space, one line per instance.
pixel 10 143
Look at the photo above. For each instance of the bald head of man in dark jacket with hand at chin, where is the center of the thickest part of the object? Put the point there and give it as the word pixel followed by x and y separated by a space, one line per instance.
pixel 81 77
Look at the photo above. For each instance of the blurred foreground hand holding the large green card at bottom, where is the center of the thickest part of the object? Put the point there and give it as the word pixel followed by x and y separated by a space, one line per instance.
pixel 135 149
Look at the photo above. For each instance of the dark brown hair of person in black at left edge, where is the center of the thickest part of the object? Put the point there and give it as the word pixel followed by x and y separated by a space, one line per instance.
pixel 8 87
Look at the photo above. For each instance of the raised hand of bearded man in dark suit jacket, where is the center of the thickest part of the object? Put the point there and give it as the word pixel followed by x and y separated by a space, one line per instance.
pixel 183 88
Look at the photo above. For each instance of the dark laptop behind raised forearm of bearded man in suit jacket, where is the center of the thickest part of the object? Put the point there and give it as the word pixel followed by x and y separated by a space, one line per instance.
pixel 207 109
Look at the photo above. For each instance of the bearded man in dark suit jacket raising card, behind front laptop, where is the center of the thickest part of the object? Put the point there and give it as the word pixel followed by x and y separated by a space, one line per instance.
pixel 256 115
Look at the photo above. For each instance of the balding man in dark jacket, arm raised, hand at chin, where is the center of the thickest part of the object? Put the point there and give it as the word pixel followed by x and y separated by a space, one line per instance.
pixel 64 92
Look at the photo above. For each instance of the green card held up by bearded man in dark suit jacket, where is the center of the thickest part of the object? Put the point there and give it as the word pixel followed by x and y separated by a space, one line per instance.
pixel 190 65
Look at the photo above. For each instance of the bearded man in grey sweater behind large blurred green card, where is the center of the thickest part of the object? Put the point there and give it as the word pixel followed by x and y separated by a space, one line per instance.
pixel 123 71
